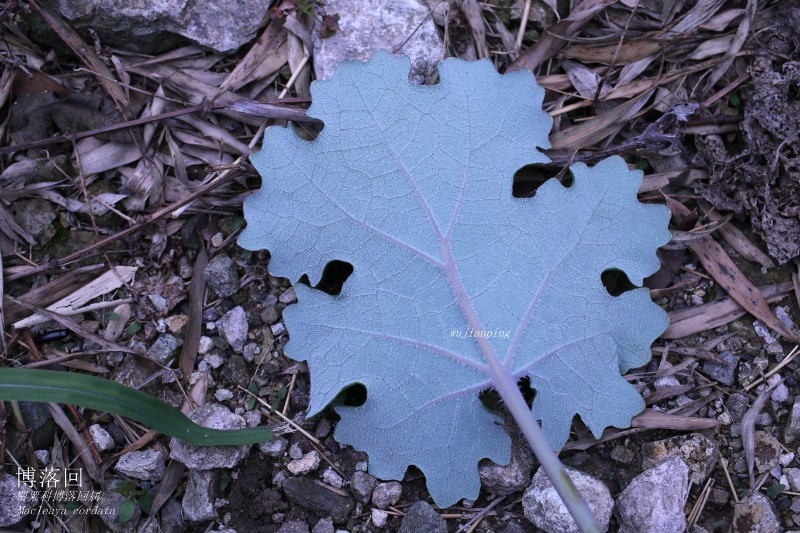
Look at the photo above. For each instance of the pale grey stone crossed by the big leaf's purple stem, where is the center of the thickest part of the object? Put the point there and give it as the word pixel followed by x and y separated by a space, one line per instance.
pixel 543 506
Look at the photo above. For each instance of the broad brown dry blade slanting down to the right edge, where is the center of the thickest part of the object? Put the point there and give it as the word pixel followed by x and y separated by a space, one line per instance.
pixel 727 274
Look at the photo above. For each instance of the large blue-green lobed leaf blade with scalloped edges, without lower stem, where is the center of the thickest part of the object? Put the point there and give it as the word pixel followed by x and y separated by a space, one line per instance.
pixel 455 281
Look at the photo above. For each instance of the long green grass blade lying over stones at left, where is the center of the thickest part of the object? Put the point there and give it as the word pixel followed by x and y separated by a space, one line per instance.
pixel 105 395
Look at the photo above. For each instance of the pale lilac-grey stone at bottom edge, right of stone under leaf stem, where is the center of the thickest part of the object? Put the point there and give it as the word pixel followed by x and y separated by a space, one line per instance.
pixel 655 499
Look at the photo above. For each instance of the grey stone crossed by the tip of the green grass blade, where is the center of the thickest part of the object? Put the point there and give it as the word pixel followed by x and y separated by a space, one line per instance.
pixel 206 457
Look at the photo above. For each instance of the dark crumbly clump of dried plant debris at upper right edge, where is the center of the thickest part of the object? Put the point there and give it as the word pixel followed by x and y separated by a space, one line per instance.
pixel 760 178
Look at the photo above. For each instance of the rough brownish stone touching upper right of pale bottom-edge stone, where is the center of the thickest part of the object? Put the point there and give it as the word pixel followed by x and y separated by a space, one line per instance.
pixel 698 452
